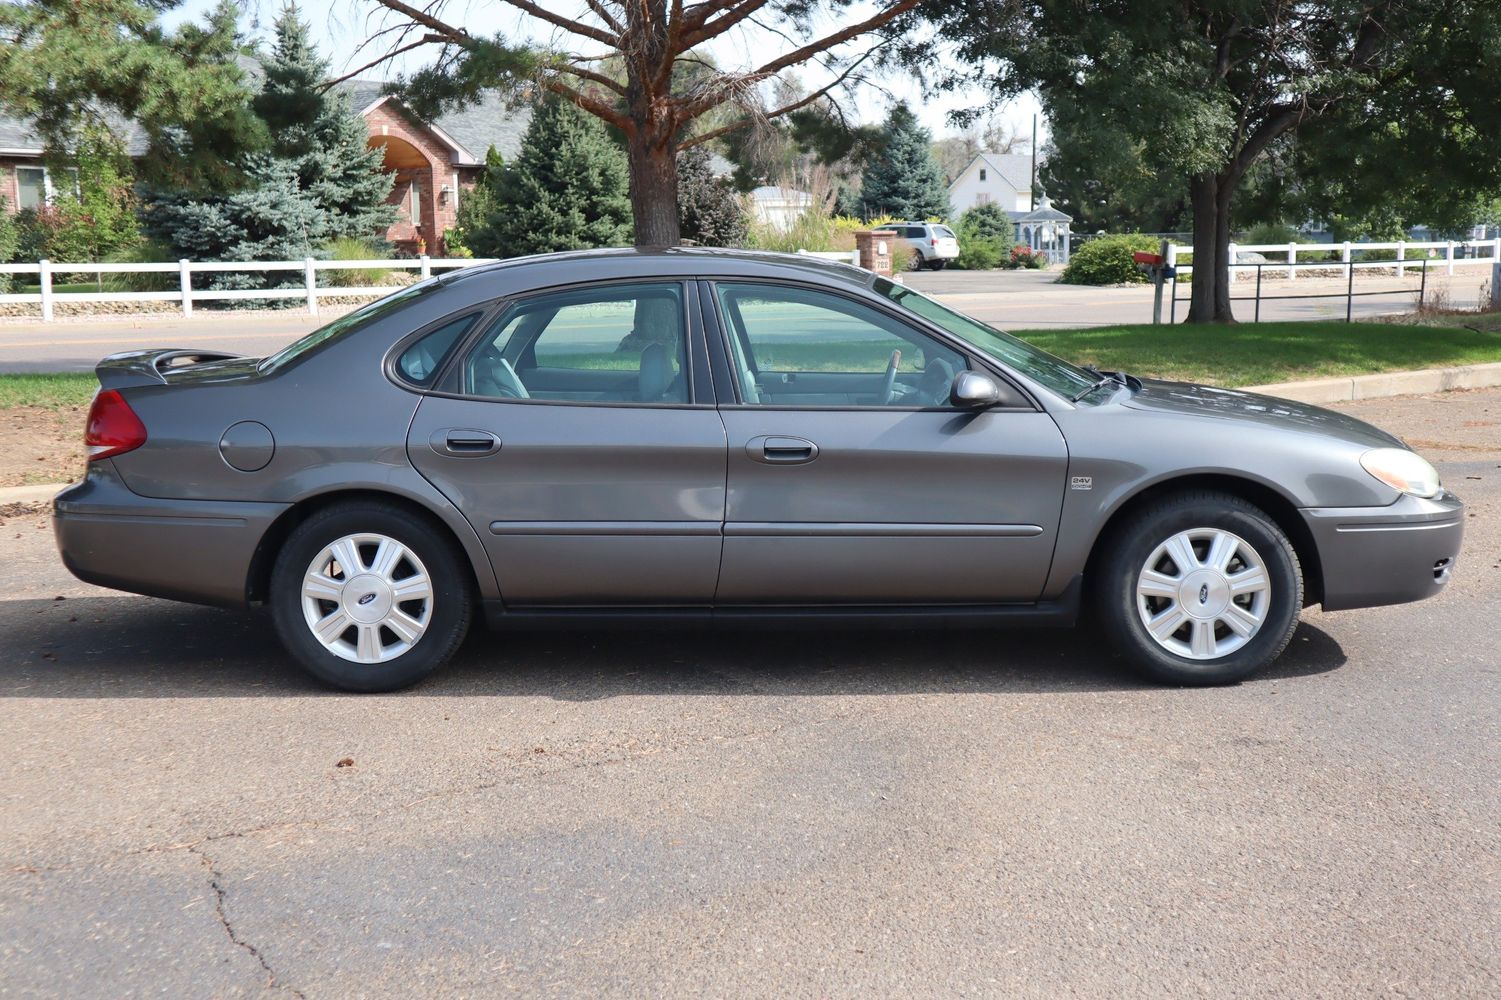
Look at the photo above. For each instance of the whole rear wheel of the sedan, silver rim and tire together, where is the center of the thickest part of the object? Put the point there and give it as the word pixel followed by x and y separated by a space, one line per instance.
pixel 368 598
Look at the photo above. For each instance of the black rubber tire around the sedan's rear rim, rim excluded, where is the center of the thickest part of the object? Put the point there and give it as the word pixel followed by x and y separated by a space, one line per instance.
pixel 453 600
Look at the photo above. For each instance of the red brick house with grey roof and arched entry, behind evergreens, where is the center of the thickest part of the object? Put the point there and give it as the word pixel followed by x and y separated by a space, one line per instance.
pixel 435 163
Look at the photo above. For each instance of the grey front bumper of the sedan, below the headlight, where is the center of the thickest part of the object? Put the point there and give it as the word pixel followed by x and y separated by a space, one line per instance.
pixel 1394 555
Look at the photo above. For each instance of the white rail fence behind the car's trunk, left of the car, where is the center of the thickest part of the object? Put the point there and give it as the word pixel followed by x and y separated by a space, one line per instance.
pixel 187 295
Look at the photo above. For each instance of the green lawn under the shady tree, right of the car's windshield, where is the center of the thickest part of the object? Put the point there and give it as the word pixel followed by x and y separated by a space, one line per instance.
pixel 1260 354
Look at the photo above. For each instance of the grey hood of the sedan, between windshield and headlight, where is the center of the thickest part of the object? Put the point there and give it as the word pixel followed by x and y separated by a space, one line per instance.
pixel 1250 408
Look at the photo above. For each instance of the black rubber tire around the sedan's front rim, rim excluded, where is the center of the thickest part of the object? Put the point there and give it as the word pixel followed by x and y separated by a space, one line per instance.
pixel 1125 559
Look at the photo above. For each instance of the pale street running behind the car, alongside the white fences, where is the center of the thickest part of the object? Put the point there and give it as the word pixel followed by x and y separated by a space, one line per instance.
pixel 1009 300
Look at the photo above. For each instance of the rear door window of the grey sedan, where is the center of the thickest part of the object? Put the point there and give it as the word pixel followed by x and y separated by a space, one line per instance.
pixel 607 345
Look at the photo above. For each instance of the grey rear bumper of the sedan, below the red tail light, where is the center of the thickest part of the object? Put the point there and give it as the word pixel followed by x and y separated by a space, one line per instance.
pixel 184 550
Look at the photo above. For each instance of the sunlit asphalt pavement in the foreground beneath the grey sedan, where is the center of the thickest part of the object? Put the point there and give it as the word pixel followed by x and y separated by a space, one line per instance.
pixel 757 815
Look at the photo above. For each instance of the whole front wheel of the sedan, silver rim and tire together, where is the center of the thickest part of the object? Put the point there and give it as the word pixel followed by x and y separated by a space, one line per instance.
pixel 1200 589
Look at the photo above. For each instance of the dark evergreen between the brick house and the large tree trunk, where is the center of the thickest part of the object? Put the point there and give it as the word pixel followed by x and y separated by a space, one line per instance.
pixel 568 190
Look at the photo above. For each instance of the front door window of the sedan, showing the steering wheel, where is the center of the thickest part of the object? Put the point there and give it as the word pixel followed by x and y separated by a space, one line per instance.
pixel 802 348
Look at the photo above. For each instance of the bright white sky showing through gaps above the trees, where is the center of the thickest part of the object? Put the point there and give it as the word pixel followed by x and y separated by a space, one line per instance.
pixel 341 26
